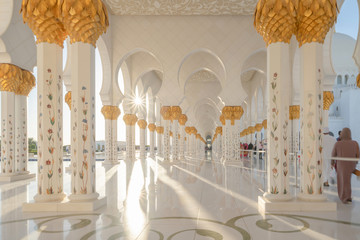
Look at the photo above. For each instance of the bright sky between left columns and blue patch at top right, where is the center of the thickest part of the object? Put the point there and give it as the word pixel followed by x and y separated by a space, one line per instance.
pixel 347 23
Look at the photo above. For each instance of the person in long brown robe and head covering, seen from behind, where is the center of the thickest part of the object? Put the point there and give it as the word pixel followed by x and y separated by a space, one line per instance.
pixel 349 149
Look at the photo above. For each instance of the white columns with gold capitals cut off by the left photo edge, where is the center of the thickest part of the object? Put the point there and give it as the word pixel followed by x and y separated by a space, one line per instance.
pixel 15 85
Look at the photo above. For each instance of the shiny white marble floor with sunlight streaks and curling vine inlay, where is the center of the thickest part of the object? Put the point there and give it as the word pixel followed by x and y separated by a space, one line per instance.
pixel 193 199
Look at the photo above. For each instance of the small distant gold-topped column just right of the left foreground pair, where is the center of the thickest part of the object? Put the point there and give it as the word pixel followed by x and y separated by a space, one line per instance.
pixel 111 114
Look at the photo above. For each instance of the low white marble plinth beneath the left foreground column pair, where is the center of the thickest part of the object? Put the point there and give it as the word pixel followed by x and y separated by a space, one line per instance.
pixel 64 206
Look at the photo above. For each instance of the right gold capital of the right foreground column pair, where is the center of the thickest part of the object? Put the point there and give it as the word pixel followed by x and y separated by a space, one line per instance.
pixel 315 18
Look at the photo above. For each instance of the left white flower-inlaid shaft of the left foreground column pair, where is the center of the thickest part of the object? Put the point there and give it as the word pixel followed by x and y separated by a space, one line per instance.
pixel 50 149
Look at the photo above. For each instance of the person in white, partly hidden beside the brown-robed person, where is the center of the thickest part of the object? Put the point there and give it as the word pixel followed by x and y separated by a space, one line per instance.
pixel 328 145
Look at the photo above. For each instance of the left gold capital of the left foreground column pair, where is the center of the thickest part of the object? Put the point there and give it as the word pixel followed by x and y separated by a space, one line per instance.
pixel 43 18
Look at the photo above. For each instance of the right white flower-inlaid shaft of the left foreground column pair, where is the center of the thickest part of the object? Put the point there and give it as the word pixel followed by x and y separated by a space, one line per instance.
pixel 83 181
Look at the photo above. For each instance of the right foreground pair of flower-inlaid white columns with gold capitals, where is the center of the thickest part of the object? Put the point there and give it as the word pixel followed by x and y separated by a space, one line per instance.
pixel 310 33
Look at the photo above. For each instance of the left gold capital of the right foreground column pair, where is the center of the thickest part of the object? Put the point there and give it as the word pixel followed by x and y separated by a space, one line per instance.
pixel 275 20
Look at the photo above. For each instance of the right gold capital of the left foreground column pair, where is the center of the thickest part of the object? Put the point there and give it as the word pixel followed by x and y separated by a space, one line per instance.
pixel 84 20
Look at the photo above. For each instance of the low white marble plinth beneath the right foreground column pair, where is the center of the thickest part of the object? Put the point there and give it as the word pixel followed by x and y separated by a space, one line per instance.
pixel 294 205
